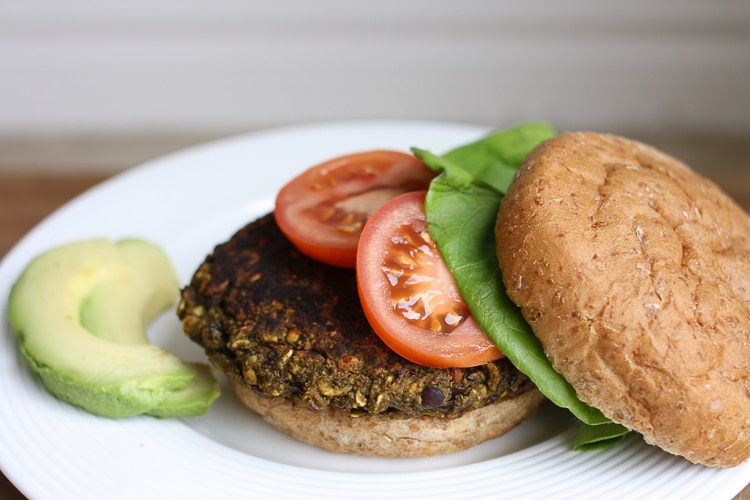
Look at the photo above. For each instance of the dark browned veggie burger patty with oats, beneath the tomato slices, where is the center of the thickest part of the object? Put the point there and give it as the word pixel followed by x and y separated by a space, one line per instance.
pixel 288 326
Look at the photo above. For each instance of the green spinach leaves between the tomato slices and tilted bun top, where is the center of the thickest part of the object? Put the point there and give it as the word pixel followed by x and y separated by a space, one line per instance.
pixel 461 207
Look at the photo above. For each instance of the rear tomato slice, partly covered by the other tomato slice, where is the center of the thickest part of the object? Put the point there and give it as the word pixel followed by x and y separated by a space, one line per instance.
pixel 323 210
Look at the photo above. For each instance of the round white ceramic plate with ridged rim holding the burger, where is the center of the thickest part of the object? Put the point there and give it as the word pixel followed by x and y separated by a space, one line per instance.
pixel 190 201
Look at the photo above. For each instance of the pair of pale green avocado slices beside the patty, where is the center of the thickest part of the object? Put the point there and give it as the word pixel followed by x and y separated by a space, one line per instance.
pixel 80 313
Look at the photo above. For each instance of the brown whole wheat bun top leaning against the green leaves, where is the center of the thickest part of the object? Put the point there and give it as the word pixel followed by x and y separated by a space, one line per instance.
pixel 634 272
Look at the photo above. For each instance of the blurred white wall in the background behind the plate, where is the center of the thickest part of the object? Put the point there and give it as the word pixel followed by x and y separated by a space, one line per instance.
pixel 77 67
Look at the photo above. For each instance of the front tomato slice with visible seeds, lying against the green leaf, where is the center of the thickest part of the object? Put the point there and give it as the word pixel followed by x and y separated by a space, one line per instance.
pixel 409 295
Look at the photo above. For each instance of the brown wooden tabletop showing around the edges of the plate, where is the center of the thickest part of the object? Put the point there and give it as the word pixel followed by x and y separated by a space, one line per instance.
pixel 25 199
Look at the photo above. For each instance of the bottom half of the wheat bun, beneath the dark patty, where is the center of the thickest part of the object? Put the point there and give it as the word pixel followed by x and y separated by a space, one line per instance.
pixel 377 435
